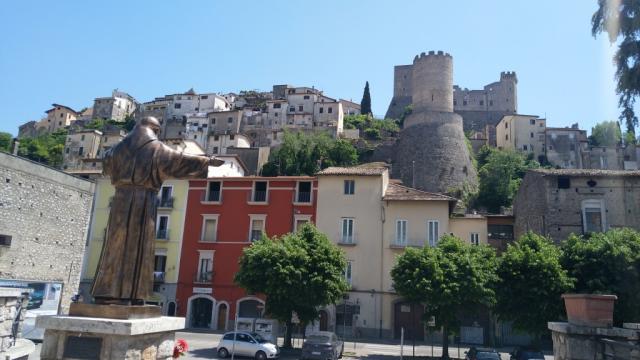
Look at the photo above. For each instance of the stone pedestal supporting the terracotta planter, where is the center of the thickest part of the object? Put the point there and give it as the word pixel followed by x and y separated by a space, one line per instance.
pixel 574 342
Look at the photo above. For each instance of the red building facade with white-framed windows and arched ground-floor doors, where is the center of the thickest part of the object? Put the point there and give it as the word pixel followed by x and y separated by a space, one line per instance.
pixel 223 216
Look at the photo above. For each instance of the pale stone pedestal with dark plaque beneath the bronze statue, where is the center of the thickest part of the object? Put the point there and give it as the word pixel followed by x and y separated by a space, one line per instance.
pixel 100 338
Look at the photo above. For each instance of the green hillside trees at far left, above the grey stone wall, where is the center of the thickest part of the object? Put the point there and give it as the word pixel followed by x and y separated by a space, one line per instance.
pixel 45 148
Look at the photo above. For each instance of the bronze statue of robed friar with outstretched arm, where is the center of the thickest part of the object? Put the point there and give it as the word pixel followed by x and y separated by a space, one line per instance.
pixel 137 166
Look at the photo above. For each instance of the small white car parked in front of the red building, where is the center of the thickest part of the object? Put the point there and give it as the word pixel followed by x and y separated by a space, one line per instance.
pixel 247 344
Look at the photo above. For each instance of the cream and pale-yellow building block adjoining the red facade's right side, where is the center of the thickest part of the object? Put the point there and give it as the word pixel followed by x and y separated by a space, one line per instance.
pixel 373 219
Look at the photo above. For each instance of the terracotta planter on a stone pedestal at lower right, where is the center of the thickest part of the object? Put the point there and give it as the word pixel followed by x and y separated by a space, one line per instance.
pixel 590 309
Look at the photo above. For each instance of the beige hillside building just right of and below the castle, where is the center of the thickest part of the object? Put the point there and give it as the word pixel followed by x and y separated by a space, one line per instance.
pixel 524 133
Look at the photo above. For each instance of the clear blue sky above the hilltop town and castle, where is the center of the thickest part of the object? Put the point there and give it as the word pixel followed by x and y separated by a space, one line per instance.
pixel 70 52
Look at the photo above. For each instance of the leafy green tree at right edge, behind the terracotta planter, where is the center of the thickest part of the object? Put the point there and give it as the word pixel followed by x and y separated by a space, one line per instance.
pixel 607 263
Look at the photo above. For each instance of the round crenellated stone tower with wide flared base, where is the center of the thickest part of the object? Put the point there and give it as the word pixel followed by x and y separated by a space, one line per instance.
pixel 431 153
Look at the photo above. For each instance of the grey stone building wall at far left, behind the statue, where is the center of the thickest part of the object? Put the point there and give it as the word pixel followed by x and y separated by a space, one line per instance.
pixel 46 214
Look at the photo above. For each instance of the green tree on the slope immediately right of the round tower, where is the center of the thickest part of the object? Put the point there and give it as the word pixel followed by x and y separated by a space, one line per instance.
pixel 500 177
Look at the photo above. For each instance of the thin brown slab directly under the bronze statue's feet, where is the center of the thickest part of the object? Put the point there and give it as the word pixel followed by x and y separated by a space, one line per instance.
pixel 112 311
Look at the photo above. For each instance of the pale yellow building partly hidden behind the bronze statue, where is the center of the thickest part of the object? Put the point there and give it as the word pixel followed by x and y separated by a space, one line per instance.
pixel 172 200
